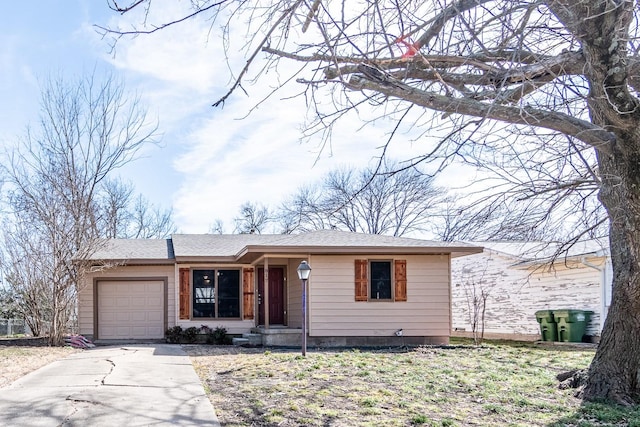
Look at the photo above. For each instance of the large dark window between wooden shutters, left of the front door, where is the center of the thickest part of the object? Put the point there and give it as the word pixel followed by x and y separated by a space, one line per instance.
pixel 216 293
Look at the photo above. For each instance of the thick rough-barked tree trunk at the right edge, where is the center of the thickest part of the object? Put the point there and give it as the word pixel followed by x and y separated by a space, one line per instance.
pixel 615 370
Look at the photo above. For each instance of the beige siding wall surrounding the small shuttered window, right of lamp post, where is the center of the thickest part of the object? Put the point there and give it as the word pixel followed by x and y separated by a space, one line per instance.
pixel 333 310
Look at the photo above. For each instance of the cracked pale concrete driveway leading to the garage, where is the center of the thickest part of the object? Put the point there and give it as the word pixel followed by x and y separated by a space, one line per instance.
pixel 137 385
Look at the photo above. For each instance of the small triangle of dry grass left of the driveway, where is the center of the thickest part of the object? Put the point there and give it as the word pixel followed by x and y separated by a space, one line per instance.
pixel 16 361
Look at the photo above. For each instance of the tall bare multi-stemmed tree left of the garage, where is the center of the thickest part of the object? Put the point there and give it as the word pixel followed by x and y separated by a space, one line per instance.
pixel 55 175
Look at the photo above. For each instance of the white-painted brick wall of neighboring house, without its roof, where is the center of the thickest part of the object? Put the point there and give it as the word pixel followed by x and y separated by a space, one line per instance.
pixel 516 294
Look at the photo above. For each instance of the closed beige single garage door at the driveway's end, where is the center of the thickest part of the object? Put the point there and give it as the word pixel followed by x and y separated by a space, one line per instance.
pixel 130 309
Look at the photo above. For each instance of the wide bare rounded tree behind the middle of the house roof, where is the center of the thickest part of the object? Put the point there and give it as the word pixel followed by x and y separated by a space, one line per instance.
pixel 385 200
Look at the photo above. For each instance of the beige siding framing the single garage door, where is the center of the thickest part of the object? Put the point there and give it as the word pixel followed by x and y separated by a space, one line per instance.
pixel 86 293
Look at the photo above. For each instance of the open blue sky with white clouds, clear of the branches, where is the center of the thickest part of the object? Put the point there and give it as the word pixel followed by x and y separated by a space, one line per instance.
pixel 210 160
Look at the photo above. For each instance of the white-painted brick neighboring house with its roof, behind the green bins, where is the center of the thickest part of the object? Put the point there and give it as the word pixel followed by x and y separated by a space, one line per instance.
pixel 521 278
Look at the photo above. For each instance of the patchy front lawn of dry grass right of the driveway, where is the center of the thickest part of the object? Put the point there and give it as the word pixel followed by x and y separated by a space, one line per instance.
pixel 493 385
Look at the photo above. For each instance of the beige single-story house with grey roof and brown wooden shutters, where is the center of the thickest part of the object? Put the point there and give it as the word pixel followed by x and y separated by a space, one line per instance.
pixel 363 289
